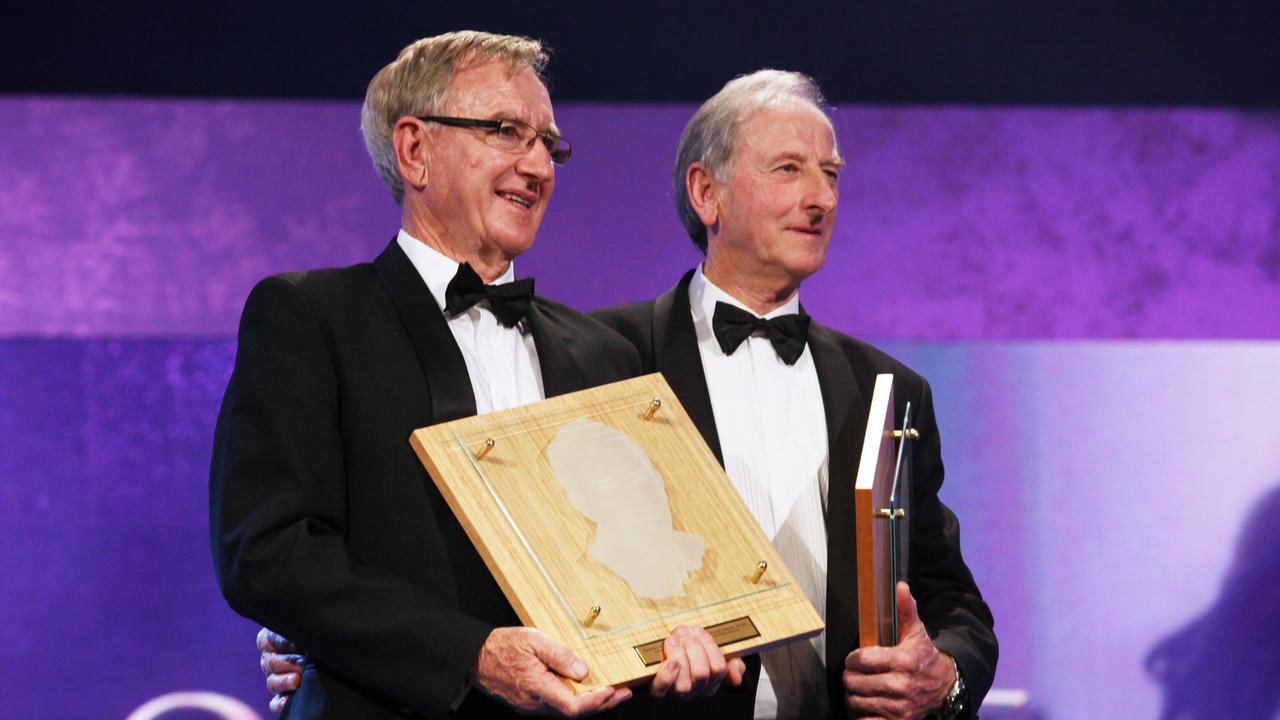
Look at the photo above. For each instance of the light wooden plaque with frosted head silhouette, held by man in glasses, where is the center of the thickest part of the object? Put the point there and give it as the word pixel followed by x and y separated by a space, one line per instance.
pixel 499 472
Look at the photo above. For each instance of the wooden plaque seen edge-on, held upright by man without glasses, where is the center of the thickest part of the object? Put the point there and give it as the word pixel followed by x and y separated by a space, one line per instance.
pixel 883 495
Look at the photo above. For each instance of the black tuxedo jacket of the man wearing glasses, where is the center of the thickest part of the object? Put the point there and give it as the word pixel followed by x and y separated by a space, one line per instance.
pixel 324 525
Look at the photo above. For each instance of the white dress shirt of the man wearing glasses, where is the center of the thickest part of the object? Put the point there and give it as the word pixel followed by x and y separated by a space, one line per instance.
pixel 502 362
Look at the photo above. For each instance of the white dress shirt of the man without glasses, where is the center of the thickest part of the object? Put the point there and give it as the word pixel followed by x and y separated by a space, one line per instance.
pixel 774 436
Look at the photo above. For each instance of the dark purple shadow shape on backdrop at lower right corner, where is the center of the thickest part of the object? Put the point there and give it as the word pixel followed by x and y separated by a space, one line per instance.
pixel 1227 662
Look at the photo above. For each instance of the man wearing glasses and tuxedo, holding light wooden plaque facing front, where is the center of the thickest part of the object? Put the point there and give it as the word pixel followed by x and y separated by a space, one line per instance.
pixel 323 523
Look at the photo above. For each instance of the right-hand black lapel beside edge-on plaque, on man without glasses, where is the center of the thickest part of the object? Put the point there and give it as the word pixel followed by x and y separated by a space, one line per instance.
pixel 843 404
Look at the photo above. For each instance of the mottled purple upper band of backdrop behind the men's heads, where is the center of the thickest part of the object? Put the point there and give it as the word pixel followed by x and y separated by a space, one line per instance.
pixel 149 218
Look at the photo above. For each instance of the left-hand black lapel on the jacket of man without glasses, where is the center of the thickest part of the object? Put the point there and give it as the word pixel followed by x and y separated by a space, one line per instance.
pixel 680 362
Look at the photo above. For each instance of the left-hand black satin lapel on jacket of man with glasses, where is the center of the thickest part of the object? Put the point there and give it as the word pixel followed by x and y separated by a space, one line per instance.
pixel 437 352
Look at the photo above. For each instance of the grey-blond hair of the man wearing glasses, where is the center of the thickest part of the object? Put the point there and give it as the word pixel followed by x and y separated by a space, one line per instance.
pixel 418 84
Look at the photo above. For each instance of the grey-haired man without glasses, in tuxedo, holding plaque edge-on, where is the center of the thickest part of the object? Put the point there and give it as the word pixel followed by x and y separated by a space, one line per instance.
pixel 783 402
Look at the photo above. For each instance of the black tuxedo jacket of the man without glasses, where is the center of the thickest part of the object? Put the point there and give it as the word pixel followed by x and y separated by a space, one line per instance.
pixel 949 601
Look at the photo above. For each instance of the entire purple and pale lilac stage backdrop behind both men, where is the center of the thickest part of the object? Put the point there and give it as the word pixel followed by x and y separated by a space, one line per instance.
pixel 1095 295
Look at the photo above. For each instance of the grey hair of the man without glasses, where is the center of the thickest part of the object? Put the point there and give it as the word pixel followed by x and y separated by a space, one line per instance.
pixel 711 138
